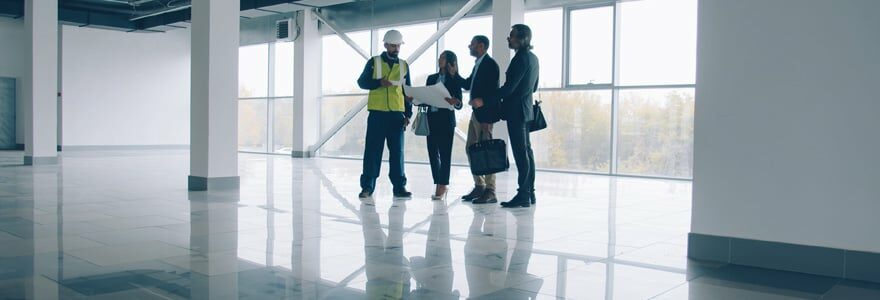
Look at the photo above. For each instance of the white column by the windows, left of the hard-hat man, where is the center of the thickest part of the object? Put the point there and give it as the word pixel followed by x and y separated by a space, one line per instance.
pixel 307 86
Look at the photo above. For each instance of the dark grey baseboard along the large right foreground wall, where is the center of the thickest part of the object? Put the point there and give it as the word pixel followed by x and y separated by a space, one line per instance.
pixel 833 262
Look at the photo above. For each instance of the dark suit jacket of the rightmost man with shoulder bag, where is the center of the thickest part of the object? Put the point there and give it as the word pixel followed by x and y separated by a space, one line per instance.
pixel 521 82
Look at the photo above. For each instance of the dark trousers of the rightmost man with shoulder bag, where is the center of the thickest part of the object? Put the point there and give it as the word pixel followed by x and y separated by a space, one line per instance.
pixel 521 145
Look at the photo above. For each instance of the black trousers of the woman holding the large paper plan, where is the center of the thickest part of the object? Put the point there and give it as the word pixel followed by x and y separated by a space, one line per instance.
pixel 440 145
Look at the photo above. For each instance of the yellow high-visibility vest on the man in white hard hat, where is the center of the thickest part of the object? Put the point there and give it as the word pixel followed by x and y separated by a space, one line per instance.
pixel 388 98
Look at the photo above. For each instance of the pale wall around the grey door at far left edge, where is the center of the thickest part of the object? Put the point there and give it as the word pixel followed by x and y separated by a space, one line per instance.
pixel 13 54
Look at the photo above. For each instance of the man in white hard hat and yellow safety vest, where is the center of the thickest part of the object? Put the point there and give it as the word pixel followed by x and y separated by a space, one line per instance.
pixel 390 111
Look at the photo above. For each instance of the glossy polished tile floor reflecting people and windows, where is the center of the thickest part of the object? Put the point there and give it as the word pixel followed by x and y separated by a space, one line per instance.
pixel 121 225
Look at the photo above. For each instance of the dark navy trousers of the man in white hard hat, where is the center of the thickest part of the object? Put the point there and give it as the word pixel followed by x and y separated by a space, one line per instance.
pixel 383 127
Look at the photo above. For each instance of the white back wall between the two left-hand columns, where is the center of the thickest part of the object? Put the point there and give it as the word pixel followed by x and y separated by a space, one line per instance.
pixel 125 88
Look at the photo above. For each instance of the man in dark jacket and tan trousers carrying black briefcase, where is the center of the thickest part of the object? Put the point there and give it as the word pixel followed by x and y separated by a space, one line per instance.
pixel 482 83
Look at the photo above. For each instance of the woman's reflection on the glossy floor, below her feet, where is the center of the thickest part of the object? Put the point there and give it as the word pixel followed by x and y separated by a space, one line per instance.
pixel 433 272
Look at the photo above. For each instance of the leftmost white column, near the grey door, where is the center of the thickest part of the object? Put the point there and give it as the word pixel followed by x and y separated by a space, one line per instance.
pixel 41 82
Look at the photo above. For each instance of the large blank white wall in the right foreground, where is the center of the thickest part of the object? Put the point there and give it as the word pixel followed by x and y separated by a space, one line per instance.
pixel 787 128
